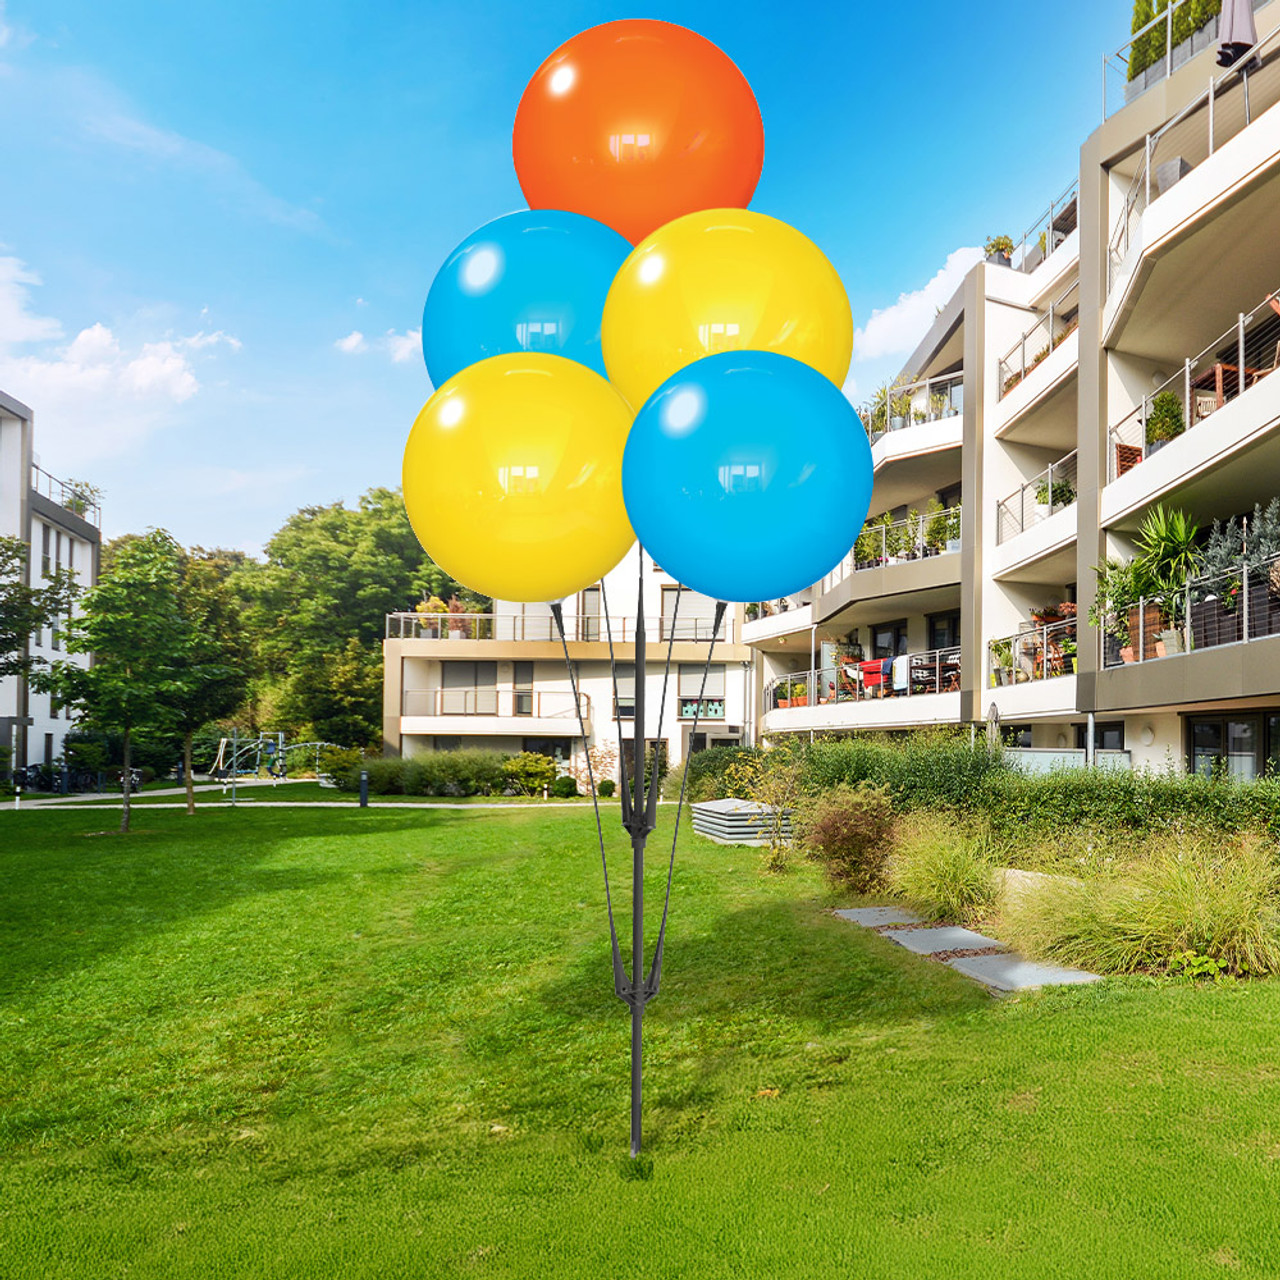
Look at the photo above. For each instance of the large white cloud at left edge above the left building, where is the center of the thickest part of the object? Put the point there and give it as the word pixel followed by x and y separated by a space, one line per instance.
pixel 94 396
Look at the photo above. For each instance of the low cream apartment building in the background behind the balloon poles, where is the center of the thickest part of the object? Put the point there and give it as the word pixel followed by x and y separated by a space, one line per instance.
pixel 500 680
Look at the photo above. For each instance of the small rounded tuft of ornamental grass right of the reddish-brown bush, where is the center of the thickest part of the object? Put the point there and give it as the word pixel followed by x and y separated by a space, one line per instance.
pixel 945 874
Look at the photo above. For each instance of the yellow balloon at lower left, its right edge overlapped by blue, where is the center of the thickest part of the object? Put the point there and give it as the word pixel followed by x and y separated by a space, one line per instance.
pixel 514 477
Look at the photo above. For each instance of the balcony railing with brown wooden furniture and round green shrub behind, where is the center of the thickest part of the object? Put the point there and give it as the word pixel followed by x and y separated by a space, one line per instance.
pixel 1228 367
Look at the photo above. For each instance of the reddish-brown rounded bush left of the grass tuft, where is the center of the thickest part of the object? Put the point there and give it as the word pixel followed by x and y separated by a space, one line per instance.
pixel 851 831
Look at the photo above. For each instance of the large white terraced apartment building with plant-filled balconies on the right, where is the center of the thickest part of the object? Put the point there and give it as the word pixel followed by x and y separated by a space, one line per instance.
pixel 1118 360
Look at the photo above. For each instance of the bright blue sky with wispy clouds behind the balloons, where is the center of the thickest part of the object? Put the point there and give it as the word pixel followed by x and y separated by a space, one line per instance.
pixel 204 204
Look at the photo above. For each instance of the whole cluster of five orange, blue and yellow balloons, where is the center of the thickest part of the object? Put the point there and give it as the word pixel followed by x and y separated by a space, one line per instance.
pixel 684 391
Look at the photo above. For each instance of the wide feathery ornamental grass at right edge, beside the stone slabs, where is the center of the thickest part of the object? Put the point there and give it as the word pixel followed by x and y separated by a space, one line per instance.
pixel 1210 899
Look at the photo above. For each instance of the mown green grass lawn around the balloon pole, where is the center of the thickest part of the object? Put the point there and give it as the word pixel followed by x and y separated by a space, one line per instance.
pixel 383 1044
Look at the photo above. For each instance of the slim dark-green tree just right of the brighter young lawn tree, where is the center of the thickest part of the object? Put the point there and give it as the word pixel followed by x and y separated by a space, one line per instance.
pixel 217 652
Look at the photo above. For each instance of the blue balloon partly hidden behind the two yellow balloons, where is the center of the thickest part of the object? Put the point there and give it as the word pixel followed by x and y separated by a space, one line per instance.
pixel 533 281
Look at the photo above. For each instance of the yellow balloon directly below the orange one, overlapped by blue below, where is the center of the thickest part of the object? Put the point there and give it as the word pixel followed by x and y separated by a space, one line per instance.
pixel 723 280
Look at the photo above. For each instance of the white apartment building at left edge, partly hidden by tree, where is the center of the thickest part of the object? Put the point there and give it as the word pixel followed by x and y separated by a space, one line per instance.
pixel 60 522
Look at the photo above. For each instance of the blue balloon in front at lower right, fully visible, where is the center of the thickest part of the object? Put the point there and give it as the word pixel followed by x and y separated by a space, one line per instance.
pixel 747 476
